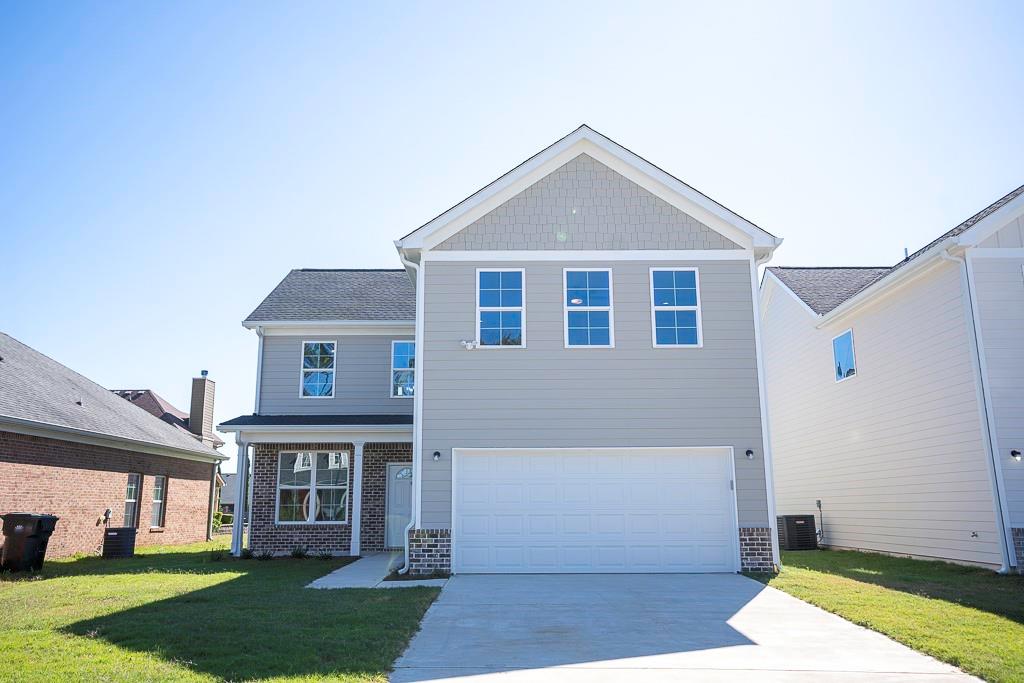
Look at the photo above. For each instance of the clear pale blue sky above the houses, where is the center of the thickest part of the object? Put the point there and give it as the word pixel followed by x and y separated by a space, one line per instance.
pixel 163 165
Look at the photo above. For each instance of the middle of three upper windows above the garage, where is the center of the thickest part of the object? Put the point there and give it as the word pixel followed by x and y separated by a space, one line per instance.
pixel 589 320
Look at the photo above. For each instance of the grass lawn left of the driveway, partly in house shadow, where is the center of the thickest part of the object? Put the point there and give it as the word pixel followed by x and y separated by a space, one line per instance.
pixel 195 614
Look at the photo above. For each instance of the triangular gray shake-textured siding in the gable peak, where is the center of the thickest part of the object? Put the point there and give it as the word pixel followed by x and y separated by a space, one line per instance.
pixel 585 205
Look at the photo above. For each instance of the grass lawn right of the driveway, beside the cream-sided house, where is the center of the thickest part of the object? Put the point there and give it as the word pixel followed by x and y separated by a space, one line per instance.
pixel 973 619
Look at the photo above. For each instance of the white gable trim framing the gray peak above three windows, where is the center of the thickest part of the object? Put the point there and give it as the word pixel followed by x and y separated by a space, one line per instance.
pixel 586 140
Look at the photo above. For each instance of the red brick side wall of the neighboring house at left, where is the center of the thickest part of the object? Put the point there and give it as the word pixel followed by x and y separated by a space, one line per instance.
pixel 78 482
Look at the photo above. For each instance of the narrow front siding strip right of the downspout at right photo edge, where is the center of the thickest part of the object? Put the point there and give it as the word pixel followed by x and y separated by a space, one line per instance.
pixel 1000 291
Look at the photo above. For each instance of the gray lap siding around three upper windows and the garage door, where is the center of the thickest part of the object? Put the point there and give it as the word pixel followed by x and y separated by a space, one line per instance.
pixel 546 396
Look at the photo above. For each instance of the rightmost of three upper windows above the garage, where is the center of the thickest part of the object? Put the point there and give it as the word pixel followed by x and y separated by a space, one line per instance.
pixel 676 308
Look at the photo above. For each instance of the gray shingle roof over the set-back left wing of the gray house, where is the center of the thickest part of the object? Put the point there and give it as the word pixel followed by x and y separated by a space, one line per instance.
pixel 310 294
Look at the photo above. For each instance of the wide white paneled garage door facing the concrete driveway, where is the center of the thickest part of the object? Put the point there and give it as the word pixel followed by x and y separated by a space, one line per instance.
pixel 628 510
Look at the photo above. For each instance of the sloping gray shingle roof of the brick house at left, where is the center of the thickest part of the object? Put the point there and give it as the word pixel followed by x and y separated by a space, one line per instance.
pixel 38 392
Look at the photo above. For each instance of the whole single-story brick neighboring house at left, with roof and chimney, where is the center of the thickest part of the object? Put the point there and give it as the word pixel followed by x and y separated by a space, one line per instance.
pixel 71 448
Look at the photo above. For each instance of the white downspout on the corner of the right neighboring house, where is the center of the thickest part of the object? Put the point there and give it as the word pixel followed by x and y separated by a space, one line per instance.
pixel 989 421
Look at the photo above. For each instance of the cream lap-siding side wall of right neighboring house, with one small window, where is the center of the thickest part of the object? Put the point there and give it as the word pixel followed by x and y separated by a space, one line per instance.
pixel 895 454
